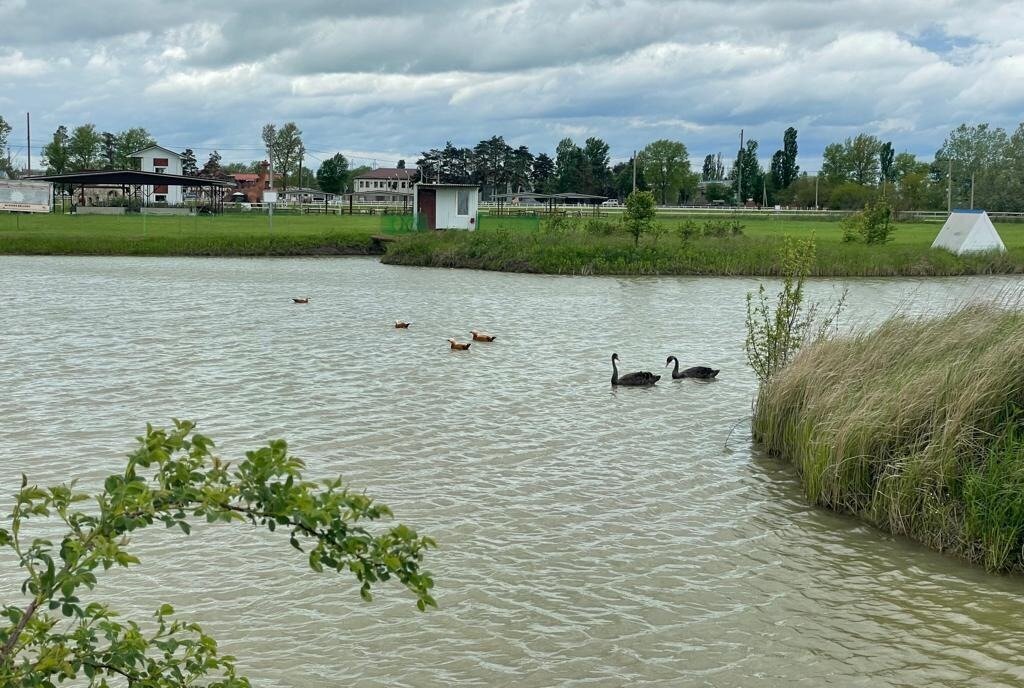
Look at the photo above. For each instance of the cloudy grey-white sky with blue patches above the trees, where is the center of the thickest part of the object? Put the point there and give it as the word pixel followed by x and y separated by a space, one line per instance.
pixel 386 80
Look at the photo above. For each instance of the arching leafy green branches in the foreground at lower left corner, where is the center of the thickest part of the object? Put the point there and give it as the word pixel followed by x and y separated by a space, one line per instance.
pixel 173 479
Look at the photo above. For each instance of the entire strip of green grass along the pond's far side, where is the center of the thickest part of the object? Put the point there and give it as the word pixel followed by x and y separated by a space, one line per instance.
pixel 580 246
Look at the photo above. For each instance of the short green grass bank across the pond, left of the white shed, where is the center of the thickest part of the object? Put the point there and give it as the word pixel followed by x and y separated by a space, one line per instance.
pixel 200 236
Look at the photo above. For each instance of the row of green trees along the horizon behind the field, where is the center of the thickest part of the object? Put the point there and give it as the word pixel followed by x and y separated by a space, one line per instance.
pixel 977 162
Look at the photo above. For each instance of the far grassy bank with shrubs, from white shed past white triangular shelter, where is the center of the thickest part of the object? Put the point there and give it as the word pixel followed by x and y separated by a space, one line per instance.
pixel 593 248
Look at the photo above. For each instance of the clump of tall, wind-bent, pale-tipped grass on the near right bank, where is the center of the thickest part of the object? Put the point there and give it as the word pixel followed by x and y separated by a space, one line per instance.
pixel 917 427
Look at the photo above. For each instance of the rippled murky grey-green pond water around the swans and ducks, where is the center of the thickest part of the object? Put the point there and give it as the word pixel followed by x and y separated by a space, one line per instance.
pixel 588 537
